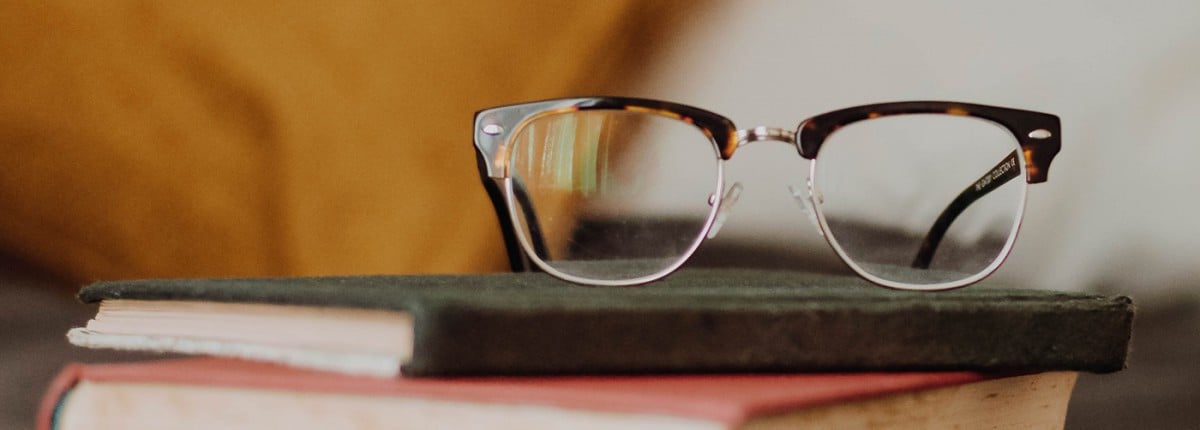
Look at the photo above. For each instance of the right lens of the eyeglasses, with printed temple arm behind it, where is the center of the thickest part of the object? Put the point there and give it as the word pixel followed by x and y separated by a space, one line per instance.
pixel 885 183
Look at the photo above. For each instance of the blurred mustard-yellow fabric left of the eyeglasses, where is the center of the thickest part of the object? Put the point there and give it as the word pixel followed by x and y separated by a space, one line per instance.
pixel 233 139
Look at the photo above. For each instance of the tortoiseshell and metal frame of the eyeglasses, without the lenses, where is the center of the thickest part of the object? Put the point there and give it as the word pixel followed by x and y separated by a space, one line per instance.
pixel 1039 135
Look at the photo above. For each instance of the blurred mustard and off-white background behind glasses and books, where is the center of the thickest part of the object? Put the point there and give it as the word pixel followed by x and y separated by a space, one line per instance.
pixel 152 140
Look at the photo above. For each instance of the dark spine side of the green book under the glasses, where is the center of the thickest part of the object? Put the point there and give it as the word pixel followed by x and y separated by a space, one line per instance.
pixel 453 341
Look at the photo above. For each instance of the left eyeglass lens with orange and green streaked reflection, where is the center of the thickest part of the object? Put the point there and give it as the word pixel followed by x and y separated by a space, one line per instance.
pixel 593 201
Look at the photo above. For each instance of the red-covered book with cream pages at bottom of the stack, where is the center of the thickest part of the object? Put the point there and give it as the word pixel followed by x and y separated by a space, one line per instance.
pixel 226 393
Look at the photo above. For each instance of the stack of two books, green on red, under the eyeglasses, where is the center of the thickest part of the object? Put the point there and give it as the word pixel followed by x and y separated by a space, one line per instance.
pixel 703 350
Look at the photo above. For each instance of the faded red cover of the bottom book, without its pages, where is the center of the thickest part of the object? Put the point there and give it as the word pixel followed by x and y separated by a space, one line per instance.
pixel 730 399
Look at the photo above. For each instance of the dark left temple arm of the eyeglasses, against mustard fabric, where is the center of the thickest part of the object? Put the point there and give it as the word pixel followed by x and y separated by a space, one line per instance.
pixel 518 260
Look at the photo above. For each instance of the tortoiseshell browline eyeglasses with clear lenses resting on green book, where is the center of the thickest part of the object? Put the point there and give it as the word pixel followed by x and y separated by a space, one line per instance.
pixel 615 192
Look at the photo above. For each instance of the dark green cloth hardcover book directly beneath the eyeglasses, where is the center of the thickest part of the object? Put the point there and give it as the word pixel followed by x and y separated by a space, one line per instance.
pixel 697 321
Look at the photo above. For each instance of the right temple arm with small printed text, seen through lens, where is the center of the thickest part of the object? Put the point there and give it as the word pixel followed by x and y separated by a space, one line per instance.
pixel 998 176
